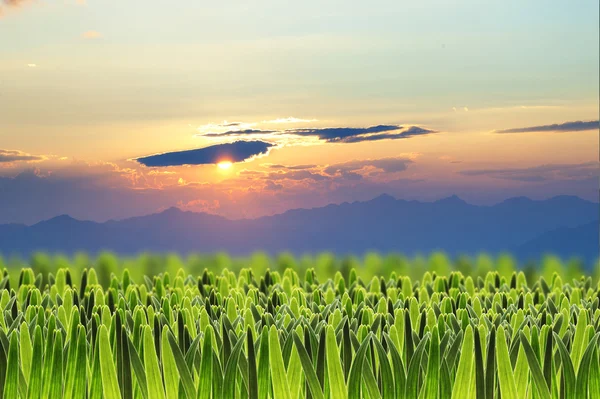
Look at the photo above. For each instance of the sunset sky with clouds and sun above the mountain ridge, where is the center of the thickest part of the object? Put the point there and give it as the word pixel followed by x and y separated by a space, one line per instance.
pixel 111 109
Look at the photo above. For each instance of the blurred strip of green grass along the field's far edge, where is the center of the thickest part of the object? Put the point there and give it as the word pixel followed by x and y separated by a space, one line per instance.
pixel 326 265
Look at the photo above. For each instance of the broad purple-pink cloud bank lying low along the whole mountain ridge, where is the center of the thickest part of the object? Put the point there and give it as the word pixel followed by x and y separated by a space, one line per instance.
pixel 101 191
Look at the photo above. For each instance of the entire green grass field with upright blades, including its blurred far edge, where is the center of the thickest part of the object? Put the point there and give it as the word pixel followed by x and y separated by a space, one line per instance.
pixel 322 327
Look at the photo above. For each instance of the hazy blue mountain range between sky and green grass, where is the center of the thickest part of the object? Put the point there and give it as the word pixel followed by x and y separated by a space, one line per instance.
pixel 565 225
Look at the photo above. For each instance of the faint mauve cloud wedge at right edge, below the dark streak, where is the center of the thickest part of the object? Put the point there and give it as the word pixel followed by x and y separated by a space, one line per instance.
pixel 540 173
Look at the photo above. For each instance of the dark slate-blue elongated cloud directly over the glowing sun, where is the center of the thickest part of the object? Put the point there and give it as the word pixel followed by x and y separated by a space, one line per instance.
pixel 237 151
